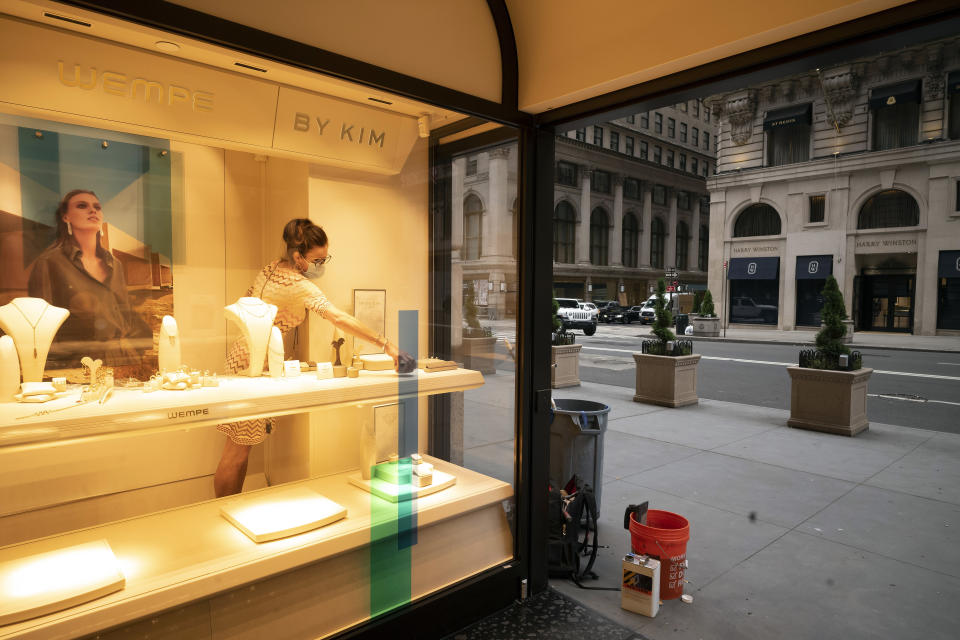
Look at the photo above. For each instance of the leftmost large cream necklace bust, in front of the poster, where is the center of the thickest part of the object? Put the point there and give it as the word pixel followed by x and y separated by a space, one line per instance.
pixel 32 323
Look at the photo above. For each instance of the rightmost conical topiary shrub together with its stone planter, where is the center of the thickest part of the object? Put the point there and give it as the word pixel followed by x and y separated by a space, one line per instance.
pixel 828 391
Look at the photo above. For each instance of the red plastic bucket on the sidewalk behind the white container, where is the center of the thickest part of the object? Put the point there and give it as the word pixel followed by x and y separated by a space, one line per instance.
pixel 664 537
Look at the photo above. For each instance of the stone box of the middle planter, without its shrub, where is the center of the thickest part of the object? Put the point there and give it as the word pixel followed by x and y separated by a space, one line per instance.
pixel 666 380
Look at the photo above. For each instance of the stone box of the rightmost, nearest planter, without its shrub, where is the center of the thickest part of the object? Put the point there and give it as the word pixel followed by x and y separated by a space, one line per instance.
pixel 829 401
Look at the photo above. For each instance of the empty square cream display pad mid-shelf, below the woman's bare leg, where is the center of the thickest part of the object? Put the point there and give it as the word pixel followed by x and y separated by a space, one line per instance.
pixel 269 515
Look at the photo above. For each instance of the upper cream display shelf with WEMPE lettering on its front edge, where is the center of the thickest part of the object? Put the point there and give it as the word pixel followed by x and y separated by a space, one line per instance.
pixel 236 398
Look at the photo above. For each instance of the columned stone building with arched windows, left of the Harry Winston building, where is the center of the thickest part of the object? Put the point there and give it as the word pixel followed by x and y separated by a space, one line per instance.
pixel 630 203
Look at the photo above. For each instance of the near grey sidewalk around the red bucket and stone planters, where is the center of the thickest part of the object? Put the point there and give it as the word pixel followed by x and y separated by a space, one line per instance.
pixel 793 534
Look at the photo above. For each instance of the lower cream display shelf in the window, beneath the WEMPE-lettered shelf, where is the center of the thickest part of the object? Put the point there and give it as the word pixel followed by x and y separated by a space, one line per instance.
pixel 186 554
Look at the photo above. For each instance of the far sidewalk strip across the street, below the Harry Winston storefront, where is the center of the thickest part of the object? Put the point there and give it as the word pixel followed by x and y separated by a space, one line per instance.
pixel 861 339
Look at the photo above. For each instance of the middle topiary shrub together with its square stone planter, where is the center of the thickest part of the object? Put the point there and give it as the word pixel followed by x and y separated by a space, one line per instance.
pixel 666 367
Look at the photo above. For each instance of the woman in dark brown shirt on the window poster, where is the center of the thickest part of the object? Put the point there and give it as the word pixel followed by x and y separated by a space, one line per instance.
pixel 78 274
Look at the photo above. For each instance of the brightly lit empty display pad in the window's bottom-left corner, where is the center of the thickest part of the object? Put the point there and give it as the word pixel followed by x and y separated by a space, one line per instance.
pixel 39 584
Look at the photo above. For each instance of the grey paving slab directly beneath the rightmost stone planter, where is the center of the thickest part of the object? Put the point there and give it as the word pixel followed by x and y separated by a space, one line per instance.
pixel 855 459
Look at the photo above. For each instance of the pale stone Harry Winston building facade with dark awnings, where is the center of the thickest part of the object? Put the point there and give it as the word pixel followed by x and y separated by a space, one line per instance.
pixel 850 171
